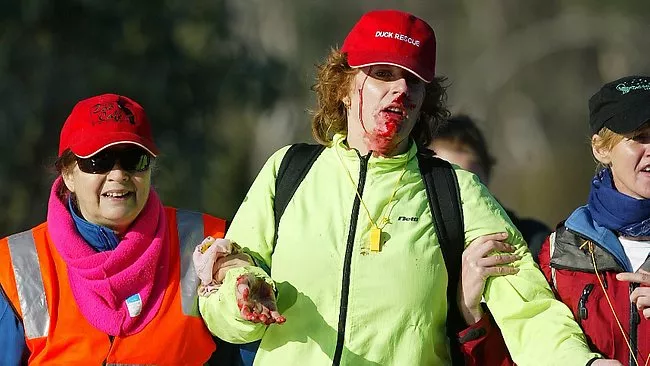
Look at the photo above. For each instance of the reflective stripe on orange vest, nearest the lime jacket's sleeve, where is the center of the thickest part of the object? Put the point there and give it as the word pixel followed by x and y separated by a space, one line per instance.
pixel 190 234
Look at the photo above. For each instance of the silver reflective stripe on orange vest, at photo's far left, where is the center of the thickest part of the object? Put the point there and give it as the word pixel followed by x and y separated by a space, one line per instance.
pixel 29 283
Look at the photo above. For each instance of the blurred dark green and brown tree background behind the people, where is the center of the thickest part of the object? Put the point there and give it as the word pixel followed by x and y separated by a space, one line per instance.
pixel 226 83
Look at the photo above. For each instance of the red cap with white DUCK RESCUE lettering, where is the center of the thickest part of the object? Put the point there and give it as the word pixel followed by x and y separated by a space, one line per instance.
pixel 393 37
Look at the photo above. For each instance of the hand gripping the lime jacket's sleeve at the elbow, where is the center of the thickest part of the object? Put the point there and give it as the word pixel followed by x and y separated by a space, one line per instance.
pixel 479 263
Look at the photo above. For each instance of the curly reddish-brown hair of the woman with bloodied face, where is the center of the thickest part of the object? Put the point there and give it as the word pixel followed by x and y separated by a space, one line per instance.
pixel 333 83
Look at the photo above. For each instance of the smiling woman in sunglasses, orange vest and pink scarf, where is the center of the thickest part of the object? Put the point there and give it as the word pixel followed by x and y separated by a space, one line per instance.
pixel 108 278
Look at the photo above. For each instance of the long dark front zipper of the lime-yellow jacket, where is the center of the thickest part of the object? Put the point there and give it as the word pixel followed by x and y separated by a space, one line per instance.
pixel 347 262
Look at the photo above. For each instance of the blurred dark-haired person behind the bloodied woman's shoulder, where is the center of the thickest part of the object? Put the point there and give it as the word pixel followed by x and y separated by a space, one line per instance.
pixel 461 142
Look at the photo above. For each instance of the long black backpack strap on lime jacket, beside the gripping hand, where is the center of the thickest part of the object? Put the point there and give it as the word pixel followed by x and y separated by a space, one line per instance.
pixel 442 189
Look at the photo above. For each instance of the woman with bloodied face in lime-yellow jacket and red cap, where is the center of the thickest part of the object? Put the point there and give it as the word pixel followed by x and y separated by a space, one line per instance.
pixel 359 286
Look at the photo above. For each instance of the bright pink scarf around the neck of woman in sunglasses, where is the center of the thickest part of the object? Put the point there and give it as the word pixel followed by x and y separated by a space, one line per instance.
pixel 101 282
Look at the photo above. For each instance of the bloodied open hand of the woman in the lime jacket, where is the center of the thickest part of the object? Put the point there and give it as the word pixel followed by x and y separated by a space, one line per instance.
pixel 256 300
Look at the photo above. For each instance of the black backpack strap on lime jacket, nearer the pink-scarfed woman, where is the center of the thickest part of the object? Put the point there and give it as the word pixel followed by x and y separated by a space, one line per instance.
pixel 294 167
